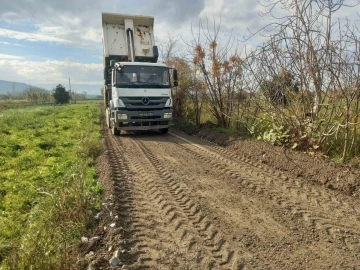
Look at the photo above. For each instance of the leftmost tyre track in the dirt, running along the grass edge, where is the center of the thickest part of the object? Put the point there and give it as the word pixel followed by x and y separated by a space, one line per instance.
pixel 134 213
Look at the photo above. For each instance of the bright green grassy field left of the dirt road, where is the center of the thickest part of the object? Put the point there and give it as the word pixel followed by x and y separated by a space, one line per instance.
pixel 47 182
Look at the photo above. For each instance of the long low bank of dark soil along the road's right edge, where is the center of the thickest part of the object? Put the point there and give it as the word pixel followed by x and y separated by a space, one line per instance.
pixel 331 175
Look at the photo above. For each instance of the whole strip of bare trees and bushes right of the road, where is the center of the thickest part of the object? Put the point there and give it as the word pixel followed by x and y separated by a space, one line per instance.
pixel 300 88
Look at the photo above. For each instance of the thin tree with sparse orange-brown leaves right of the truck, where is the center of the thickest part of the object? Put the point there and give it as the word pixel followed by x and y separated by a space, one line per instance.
pixel 220 73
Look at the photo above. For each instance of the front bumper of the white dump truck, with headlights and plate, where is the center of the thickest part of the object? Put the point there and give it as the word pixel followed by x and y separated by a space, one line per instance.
pixel 141 120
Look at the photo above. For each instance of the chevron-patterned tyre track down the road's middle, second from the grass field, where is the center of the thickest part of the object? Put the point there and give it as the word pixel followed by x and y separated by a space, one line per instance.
pixel 199 233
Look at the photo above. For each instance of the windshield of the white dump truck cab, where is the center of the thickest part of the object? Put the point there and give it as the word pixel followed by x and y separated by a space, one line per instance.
pixel 143 76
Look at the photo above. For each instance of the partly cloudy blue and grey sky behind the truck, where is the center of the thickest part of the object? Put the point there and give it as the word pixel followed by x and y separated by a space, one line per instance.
pixel 46 42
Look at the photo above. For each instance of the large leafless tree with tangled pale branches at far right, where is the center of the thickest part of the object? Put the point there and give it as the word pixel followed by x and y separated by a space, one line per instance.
pixel 320 52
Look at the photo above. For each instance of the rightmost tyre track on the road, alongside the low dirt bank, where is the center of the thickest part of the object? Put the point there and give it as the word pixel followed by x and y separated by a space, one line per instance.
pixel 309 203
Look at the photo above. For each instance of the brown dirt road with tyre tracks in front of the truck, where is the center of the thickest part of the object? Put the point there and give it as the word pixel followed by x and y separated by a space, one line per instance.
pixel 182 203
